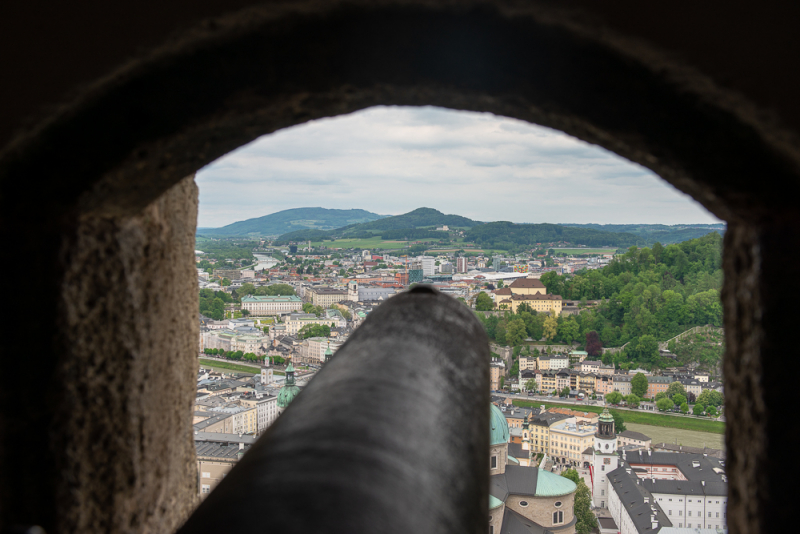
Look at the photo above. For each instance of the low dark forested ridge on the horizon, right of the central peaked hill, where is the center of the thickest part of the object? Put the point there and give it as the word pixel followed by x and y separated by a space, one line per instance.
pixel 511 236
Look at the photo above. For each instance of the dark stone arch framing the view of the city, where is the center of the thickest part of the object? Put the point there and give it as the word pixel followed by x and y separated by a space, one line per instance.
pixel 81 189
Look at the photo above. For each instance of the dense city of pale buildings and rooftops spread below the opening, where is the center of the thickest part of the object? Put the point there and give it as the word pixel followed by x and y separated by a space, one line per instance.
pixel 636 486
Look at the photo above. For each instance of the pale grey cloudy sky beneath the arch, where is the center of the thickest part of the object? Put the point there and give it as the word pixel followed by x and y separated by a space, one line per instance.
pixel 391 160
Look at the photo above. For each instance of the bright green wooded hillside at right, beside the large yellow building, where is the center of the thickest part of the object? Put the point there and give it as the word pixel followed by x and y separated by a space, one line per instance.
pixel 650 295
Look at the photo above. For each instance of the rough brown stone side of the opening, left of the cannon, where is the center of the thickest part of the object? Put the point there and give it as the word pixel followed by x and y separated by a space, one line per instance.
pixel 129 330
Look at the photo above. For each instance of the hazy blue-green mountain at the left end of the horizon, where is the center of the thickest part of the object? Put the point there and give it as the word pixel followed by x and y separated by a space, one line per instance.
pixel 292 220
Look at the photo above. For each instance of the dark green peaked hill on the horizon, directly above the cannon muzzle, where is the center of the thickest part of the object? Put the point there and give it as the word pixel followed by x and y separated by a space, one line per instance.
pixel 403 226
